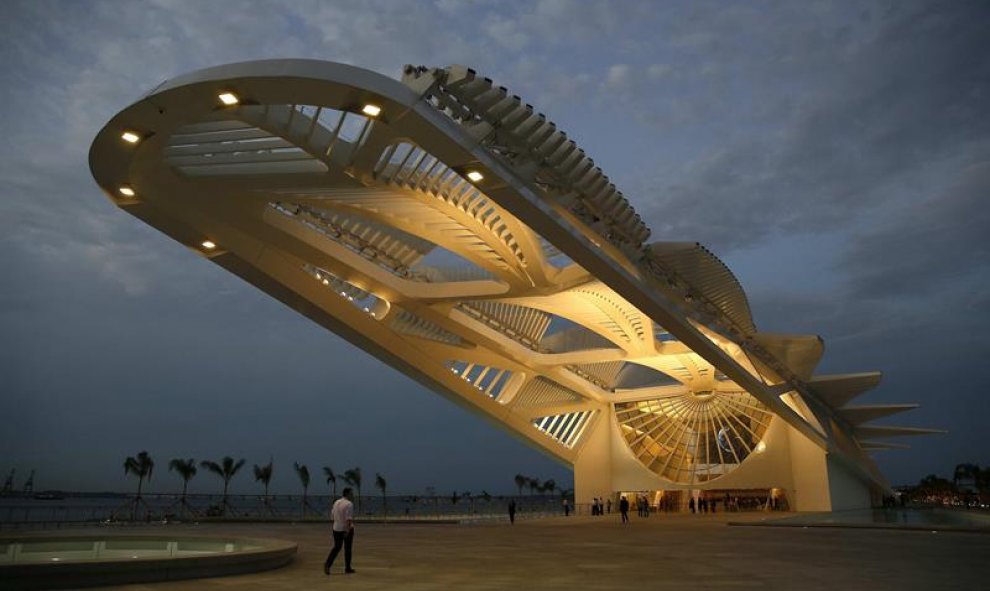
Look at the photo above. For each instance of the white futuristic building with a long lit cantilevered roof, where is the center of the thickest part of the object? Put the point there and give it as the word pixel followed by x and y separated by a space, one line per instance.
pixel 446 227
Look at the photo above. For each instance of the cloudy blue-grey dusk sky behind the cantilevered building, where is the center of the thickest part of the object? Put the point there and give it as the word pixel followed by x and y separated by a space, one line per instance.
pixel 835 154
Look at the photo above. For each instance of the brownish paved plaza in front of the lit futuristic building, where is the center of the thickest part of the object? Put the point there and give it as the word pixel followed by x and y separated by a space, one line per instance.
pixel 662 552
